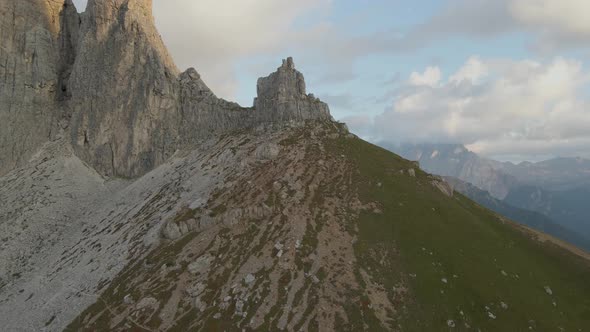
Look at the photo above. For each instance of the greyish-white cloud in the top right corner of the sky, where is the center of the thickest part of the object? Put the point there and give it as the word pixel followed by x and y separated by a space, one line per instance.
pixel 550 25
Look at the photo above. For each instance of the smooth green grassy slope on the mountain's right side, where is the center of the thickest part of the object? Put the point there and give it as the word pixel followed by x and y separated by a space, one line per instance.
pixel 463 265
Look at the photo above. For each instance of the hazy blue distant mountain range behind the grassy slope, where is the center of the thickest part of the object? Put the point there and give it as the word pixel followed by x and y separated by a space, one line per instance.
pixel 549 193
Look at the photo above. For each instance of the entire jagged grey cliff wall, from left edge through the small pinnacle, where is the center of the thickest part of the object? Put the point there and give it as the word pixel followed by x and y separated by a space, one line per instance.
pixel 106 79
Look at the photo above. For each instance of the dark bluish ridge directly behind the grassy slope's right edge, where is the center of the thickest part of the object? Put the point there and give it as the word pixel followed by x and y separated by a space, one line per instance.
pixel 536 220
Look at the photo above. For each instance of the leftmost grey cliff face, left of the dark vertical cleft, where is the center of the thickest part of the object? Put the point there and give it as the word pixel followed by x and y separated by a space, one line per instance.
pixel 36 37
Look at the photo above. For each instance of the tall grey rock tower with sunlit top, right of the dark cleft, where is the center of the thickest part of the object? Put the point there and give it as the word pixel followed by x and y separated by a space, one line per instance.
pixel 124 87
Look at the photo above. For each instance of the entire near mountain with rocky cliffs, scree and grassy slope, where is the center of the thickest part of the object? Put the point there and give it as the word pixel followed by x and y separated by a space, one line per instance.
pixel 154 205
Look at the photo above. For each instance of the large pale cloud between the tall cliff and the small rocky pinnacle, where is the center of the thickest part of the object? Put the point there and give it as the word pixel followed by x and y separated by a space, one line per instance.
pixel 211 35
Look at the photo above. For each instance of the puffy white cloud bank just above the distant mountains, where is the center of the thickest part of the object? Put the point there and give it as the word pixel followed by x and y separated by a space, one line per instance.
pixel 519 105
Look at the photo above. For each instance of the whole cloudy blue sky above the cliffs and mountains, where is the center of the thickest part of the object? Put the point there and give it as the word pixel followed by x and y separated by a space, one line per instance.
pixel 510 79
